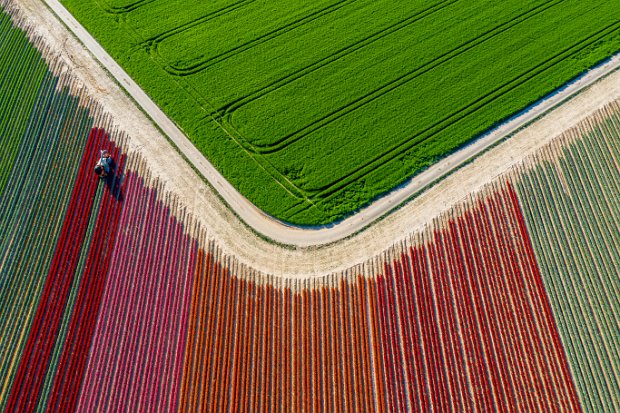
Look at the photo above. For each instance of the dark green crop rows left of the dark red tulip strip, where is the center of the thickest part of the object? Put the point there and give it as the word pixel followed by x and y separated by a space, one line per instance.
pixel 42 135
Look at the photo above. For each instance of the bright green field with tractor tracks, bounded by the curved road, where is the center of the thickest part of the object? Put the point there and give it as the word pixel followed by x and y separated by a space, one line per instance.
pixel 313 109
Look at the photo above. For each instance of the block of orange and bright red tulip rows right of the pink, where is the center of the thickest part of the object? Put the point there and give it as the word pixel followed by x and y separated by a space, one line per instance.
pixel 459 322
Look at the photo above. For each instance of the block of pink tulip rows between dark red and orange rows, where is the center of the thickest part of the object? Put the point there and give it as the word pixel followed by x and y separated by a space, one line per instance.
pixel 140 329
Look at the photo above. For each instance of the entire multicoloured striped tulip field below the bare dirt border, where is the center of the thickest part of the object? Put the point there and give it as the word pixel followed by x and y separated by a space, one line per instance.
pixel 113 297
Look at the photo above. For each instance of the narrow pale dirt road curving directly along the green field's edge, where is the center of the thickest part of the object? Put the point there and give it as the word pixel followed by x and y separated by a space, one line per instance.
pixel 303 237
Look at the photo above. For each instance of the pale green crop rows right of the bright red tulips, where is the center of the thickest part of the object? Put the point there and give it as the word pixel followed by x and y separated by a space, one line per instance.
pixel 570 201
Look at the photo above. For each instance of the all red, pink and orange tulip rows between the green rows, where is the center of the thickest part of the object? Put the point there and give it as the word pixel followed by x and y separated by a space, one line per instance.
pixel 162 320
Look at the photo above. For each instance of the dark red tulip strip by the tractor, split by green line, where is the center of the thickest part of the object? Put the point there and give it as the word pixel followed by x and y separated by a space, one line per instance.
pixel 46 323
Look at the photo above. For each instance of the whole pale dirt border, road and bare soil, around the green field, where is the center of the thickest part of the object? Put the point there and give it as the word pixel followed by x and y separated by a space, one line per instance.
pixel 307 259
